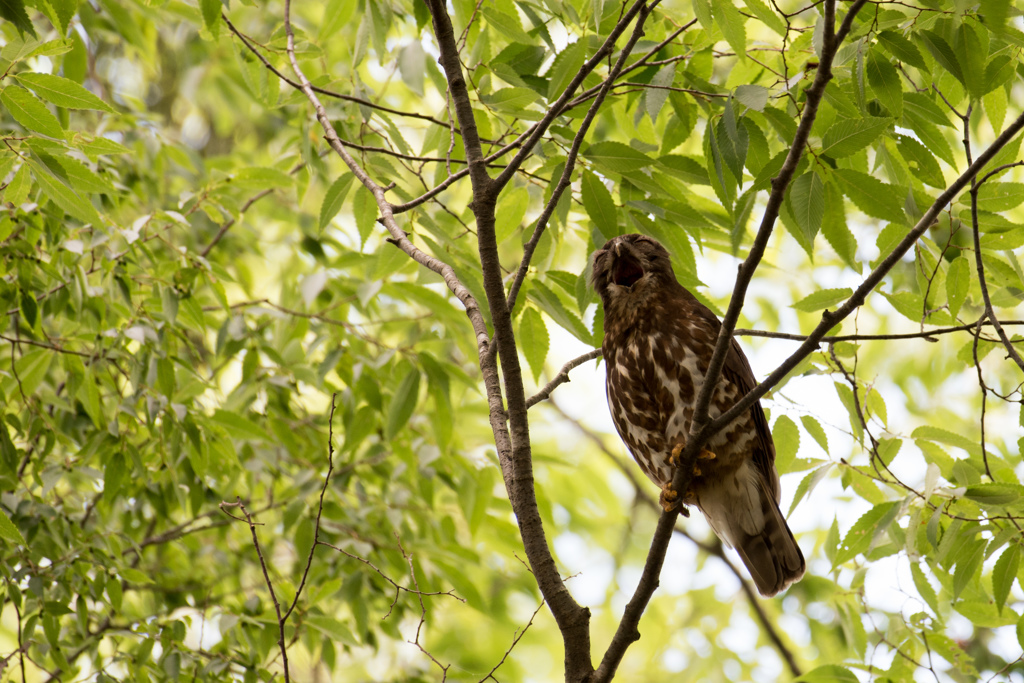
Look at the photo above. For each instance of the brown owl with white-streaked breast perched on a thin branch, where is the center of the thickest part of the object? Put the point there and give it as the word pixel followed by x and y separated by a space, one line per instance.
pixel 659 341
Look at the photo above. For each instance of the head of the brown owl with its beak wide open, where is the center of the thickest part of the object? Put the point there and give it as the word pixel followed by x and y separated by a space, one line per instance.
pixel 629 270
